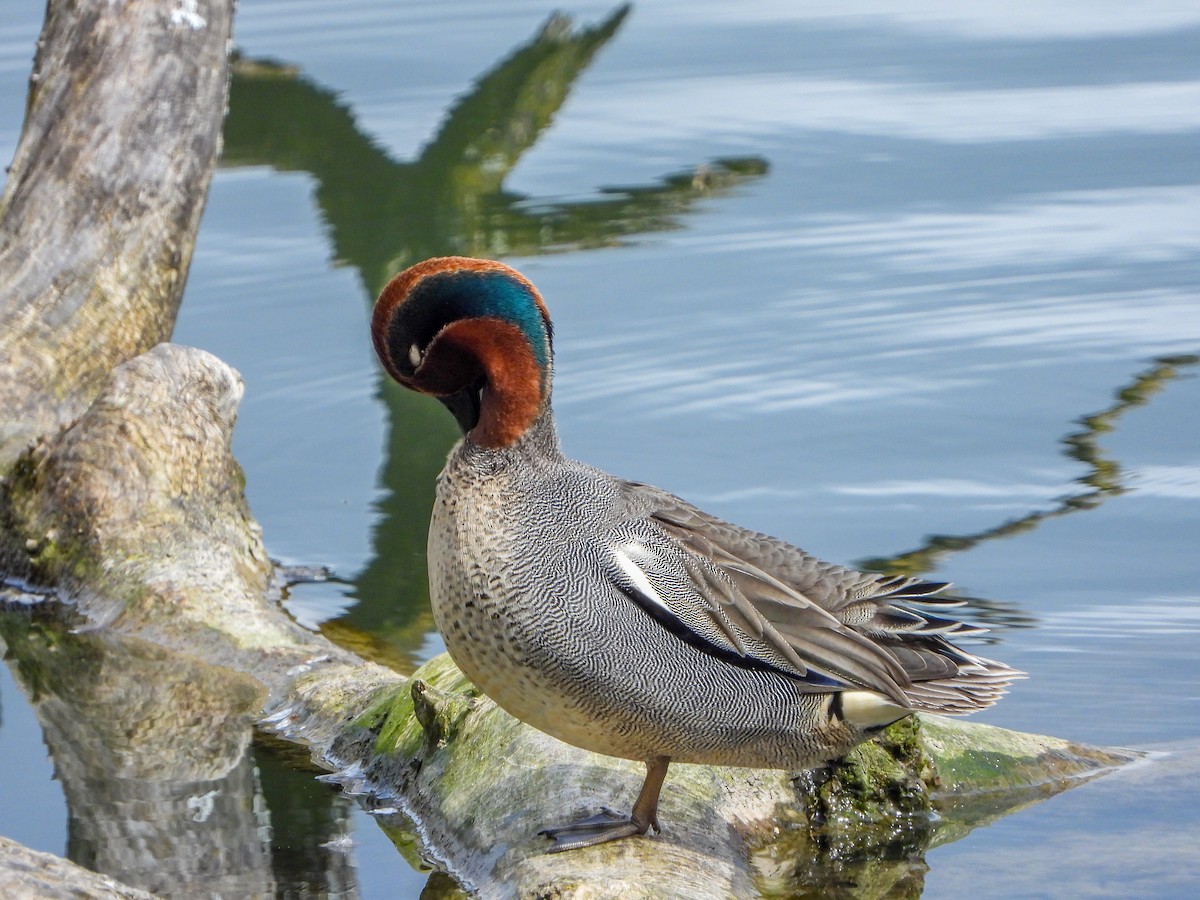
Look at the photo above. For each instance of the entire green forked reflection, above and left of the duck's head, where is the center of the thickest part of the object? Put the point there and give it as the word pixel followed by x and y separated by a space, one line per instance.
pixel 385 215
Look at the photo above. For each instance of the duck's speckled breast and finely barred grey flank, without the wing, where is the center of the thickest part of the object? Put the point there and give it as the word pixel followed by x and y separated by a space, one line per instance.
pixel 533 610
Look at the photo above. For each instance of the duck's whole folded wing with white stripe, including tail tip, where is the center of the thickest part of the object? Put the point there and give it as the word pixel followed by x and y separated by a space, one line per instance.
pixel 759 602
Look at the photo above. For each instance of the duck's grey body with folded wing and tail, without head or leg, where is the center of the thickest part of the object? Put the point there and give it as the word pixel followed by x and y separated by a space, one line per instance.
pixel 535 562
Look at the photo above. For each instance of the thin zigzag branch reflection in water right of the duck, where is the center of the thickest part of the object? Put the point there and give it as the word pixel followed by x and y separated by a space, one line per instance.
pixel 1105 479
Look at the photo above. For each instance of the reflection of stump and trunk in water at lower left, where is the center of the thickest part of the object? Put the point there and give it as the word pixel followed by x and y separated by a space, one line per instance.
pixel 164 788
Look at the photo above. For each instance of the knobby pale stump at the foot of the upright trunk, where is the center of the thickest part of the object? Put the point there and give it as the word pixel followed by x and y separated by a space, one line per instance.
pixel 136 512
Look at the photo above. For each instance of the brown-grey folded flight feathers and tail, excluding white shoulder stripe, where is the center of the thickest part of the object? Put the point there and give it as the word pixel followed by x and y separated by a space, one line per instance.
pixel 856 628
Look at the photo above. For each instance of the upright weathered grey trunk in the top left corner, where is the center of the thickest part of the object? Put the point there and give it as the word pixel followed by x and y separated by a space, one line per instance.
pixel 99 214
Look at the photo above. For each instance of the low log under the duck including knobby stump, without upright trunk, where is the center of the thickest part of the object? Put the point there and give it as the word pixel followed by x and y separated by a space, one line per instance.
pixel 137 512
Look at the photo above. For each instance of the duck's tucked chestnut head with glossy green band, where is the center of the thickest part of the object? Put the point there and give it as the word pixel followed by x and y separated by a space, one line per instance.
pixel 476 335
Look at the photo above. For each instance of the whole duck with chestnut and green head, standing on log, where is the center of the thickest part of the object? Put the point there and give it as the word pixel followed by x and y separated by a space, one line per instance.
pixel 616 616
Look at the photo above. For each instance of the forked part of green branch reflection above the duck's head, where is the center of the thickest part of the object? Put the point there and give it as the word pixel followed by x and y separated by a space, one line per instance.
pixel 386 215
